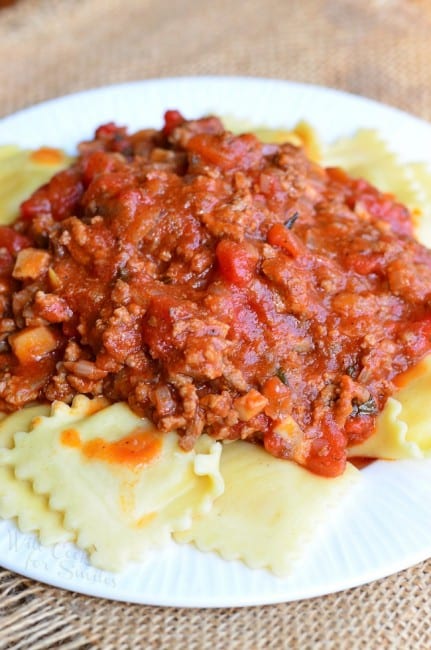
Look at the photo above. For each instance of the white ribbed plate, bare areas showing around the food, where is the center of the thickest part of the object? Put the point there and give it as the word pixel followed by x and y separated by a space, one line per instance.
pixel 386 525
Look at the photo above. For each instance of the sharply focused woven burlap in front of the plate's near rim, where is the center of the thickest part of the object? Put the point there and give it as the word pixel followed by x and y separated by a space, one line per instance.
pixel 391 613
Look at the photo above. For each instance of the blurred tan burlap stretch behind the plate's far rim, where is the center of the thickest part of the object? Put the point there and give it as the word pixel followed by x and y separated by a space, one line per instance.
pixel 379 48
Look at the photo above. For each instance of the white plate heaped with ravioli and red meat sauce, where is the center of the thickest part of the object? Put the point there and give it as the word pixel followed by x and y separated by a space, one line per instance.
pixel 215 339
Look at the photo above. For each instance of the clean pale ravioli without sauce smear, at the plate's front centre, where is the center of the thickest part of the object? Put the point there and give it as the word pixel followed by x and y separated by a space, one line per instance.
pixel 270 509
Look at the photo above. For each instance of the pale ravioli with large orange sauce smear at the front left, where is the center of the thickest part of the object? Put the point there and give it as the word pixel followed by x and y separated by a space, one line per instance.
pixel 116 508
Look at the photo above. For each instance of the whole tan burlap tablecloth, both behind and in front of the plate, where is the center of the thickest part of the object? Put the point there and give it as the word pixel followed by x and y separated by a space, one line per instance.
pixel 378 48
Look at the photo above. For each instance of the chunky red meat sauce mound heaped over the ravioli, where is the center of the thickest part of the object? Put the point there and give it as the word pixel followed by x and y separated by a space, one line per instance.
pixel 219 285
